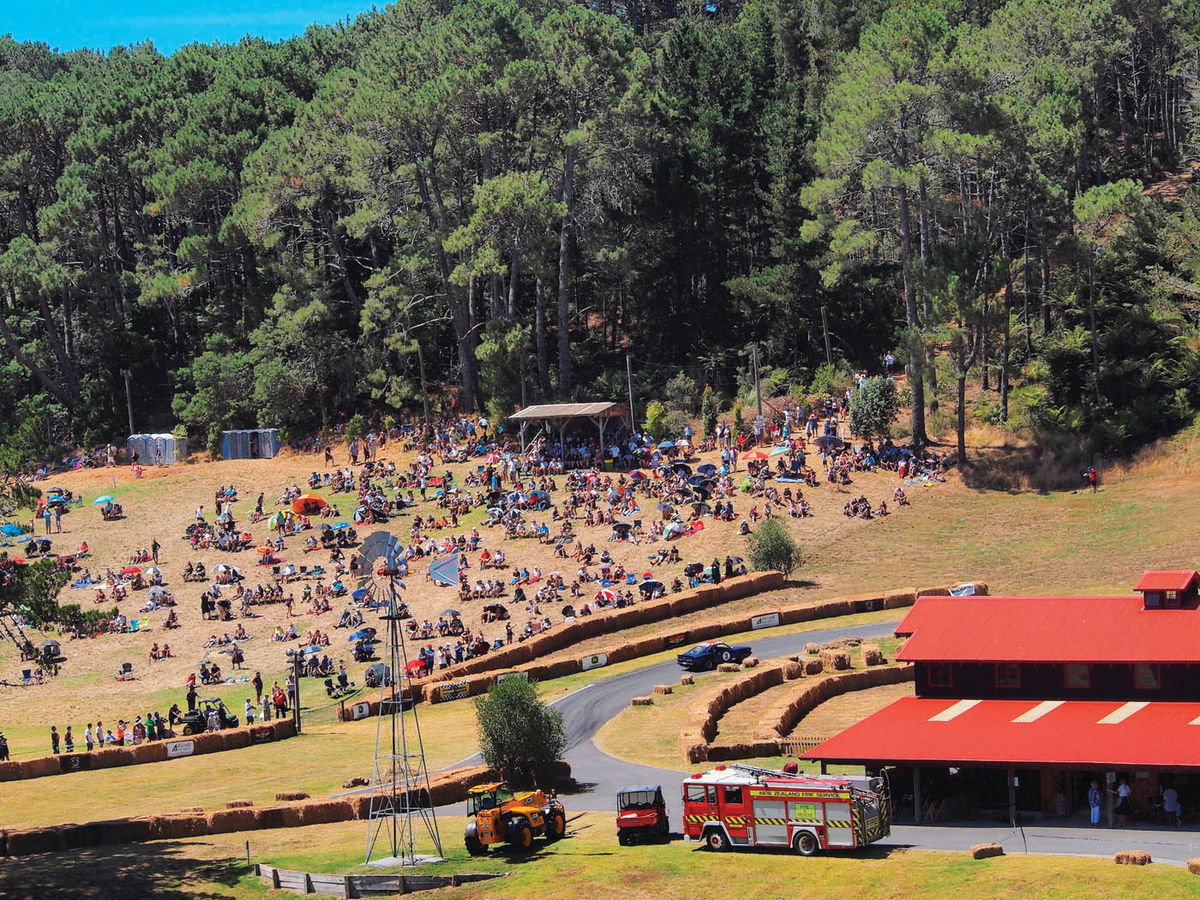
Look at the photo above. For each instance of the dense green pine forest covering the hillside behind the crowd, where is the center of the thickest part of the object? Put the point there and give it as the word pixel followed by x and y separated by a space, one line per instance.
pixel 491 203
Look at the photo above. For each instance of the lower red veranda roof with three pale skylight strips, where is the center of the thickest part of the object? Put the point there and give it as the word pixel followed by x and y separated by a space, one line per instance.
pixel 1023 733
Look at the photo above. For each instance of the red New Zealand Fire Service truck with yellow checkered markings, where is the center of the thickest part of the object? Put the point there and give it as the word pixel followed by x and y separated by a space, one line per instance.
pixel 749 807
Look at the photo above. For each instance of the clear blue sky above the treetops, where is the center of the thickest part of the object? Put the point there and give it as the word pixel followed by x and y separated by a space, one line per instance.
pixel 104 25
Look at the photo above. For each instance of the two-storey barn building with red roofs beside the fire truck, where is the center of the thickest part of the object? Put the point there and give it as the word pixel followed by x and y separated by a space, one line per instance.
pixel 1023 701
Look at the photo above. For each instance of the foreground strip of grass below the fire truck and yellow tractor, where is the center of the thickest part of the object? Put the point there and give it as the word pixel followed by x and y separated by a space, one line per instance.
pixel 587 861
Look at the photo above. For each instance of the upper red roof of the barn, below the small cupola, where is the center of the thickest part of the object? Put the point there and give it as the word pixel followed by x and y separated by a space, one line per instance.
pixel 1048 629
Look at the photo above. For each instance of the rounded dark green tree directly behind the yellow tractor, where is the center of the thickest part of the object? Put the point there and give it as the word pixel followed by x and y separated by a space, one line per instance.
pixel 519 735
